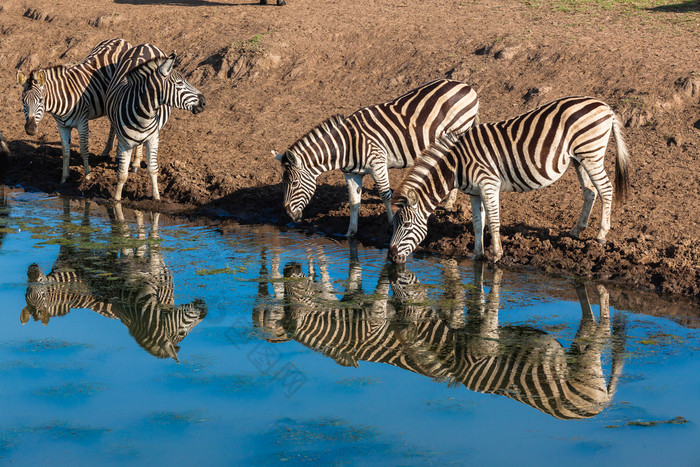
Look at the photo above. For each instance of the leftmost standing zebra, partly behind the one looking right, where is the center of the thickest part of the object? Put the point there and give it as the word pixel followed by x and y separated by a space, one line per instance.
pixel 73 95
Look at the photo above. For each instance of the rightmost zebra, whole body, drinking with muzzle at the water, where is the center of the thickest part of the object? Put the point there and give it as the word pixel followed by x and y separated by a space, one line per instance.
pixel 524 153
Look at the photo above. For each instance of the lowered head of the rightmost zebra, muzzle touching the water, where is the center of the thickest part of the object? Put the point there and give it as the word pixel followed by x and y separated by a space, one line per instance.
pixel 410 226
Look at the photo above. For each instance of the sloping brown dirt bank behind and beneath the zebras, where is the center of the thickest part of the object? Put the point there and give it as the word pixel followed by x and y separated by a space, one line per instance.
pixel 272 73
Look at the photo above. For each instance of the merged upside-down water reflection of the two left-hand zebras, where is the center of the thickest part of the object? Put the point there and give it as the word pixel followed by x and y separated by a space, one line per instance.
pixel 131 283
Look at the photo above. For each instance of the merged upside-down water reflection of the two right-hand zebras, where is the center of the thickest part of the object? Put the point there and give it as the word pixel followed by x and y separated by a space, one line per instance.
pixel 438 340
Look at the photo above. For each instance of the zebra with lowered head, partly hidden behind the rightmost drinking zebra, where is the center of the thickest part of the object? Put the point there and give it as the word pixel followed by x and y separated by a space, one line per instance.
pixel 373 140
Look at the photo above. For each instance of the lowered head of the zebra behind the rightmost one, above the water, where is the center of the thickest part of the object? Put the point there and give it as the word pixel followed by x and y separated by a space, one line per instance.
pixel 299 184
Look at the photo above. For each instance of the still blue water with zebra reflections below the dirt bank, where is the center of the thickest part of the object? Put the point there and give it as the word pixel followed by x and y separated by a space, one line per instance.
pixel 130 337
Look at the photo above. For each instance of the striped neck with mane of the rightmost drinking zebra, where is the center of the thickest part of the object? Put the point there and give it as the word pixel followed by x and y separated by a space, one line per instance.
pixel 433 168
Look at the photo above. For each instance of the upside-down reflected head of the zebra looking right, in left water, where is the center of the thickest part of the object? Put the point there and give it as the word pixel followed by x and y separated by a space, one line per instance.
pixel 175 324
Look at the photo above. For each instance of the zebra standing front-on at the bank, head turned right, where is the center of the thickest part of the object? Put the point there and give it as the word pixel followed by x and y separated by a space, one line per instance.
pixel 139 99
